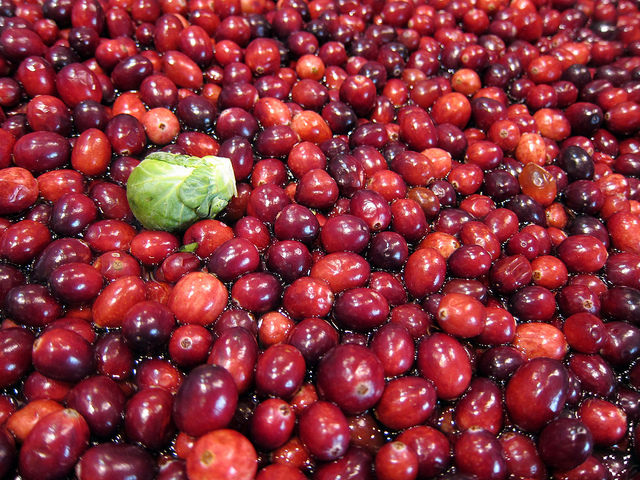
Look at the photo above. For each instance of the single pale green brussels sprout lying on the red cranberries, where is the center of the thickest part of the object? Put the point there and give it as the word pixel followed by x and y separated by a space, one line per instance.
pixel 171 192
